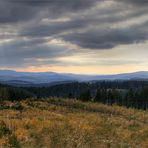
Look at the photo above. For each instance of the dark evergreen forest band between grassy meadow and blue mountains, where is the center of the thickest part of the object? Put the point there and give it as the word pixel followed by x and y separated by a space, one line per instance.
pixel 125 93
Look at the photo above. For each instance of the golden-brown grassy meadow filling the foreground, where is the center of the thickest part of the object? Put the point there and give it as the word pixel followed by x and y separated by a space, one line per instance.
pixel 71 124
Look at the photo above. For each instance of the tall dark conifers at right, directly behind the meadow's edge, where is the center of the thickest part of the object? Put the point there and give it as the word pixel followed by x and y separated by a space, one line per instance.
pixel 129 98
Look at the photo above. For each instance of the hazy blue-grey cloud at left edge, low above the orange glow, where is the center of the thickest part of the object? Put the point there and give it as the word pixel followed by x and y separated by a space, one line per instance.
pixel 20 52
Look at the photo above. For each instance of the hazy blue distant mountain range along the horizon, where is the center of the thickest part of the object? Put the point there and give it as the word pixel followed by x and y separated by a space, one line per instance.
pixel 52 78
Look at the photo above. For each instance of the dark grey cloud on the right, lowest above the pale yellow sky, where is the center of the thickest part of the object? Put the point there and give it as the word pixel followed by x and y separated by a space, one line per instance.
pixel 108 38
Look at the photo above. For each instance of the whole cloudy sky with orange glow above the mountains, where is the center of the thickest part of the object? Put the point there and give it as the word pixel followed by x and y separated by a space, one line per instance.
pixel 74 36
